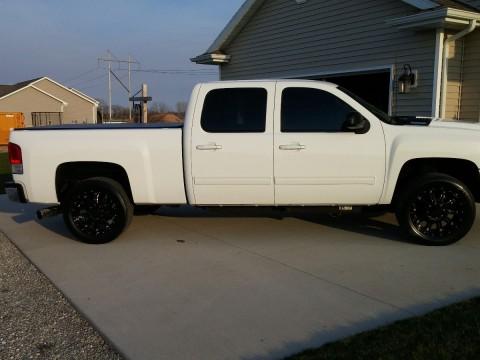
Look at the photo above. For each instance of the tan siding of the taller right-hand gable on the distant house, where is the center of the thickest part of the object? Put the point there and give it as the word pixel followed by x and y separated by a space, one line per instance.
pixel 78 110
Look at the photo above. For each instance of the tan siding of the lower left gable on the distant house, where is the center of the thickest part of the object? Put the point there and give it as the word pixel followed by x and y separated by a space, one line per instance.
pixel 29 100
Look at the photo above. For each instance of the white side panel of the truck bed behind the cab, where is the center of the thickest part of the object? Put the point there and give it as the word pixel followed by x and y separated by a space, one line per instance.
pixel 150 154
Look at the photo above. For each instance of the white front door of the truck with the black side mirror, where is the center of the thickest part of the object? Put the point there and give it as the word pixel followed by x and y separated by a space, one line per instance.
pixel 318 161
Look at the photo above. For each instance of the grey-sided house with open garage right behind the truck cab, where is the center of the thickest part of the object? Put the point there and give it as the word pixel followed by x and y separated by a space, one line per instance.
pixel 366 46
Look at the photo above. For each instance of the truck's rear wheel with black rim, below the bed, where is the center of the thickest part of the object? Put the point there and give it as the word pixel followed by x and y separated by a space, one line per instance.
pixel 97 210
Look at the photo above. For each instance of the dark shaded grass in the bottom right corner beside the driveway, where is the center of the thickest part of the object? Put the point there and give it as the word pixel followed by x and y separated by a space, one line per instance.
pixel 449 333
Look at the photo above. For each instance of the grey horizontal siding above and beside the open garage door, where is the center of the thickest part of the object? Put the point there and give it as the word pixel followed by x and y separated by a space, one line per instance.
pixel 284 39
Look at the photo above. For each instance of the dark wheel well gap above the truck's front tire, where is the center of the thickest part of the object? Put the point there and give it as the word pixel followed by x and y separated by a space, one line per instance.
pixel 463 170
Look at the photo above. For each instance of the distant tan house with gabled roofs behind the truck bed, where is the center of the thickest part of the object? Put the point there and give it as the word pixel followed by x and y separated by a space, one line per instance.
pixel 44 101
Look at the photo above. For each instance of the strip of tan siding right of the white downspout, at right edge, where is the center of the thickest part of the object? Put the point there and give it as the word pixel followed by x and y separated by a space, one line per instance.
pixel 470 100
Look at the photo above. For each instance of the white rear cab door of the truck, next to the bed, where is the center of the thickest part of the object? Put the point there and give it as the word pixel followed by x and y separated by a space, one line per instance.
pixel 232 145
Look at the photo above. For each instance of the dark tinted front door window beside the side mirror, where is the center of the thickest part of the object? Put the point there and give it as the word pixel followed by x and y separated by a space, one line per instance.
pixel 312 110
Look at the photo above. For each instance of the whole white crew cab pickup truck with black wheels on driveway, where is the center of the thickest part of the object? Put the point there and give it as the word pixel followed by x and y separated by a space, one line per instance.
pixel 280 143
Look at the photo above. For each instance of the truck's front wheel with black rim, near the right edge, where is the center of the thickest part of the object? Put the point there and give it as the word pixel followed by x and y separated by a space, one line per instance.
pixel 436 209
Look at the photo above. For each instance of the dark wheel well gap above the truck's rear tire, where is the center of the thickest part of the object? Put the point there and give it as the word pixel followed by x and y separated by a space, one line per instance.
pixel 68 174
